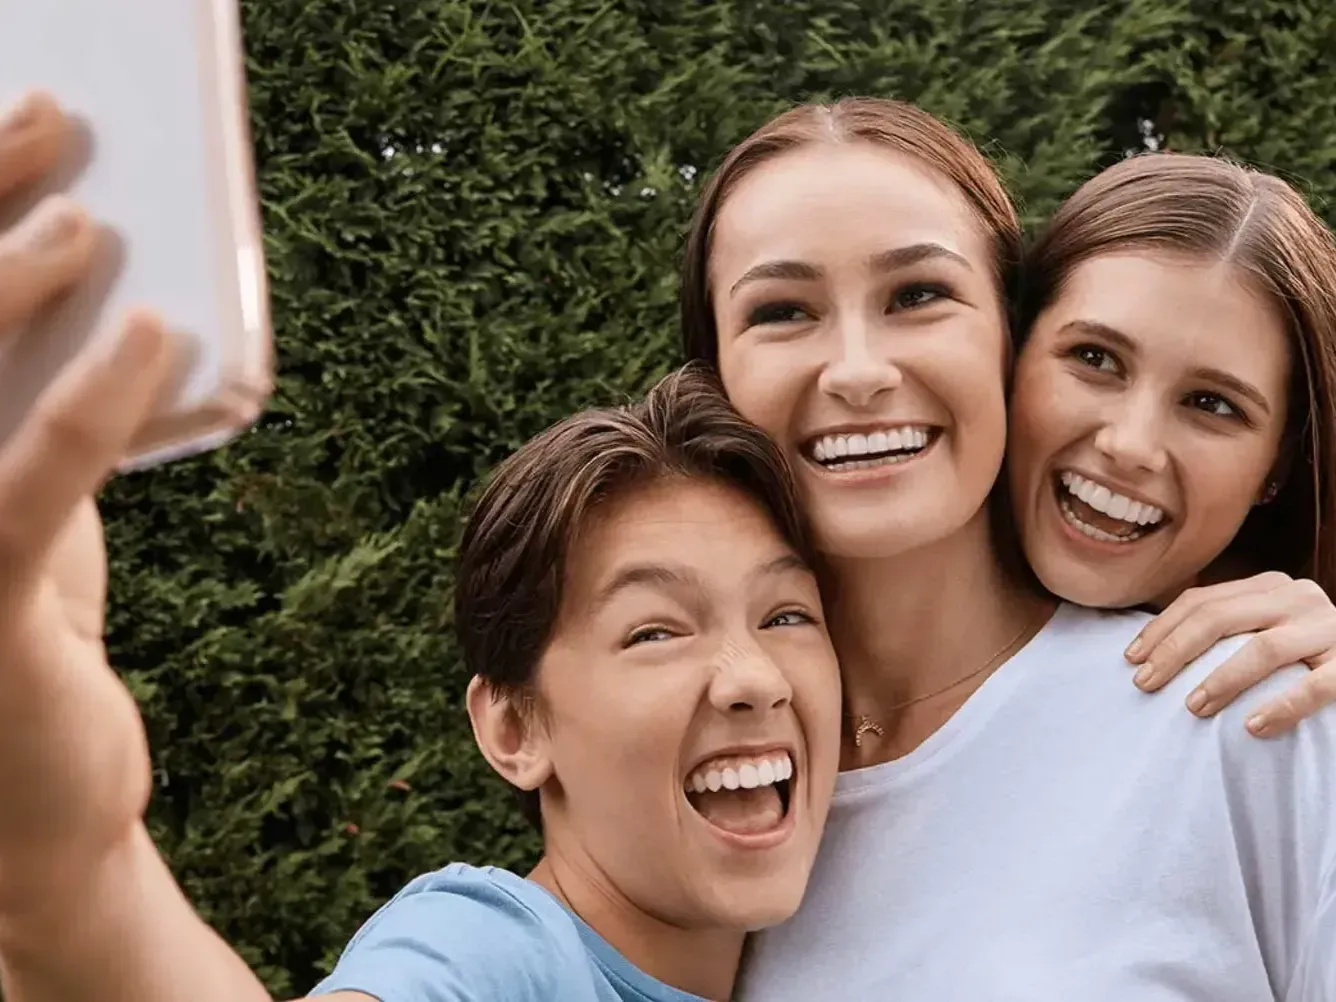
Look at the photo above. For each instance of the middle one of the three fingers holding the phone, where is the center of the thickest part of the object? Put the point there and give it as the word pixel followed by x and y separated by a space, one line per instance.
pixel 47 253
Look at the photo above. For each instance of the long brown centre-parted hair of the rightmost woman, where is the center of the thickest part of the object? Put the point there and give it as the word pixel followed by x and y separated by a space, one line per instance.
pixel 1211 208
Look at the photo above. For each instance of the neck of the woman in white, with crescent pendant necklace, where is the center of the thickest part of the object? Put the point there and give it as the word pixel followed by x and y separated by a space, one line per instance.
pixel 924 626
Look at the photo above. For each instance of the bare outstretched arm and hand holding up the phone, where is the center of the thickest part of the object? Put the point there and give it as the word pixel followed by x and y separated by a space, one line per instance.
pixel 89 910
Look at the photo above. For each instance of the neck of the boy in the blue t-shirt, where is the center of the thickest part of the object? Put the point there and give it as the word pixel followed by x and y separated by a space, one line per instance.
pixel 698 961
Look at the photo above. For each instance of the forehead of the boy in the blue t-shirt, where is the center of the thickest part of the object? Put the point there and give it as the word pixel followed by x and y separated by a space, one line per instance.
pixel 706 528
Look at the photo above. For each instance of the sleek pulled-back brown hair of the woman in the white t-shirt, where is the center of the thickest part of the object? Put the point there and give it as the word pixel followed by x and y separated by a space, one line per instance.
pixel 897 126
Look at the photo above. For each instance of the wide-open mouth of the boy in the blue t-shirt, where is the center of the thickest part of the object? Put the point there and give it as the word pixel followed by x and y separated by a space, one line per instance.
pixel 743 796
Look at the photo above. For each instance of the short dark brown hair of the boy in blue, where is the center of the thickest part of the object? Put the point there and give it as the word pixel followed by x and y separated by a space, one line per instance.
pixel 516 544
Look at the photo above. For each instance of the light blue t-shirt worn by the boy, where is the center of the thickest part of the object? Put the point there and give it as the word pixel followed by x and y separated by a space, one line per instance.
pixel 482 935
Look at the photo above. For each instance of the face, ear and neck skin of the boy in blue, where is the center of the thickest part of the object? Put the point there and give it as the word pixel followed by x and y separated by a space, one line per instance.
pixel 689 630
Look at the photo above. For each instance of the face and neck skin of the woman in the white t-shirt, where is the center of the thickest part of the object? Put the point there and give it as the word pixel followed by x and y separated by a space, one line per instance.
pixel 854 291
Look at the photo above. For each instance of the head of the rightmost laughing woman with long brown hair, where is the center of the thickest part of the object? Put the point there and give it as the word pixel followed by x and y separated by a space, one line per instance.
pixel 1204 405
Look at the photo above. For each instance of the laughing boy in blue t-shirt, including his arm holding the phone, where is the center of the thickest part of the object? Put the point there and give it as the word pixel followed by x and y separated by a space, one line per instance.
pixel 653 670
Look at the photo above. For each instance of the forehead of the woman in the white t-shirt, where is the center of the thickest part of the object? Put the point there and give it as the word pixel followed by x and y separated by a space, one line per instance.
pixel 826 202
